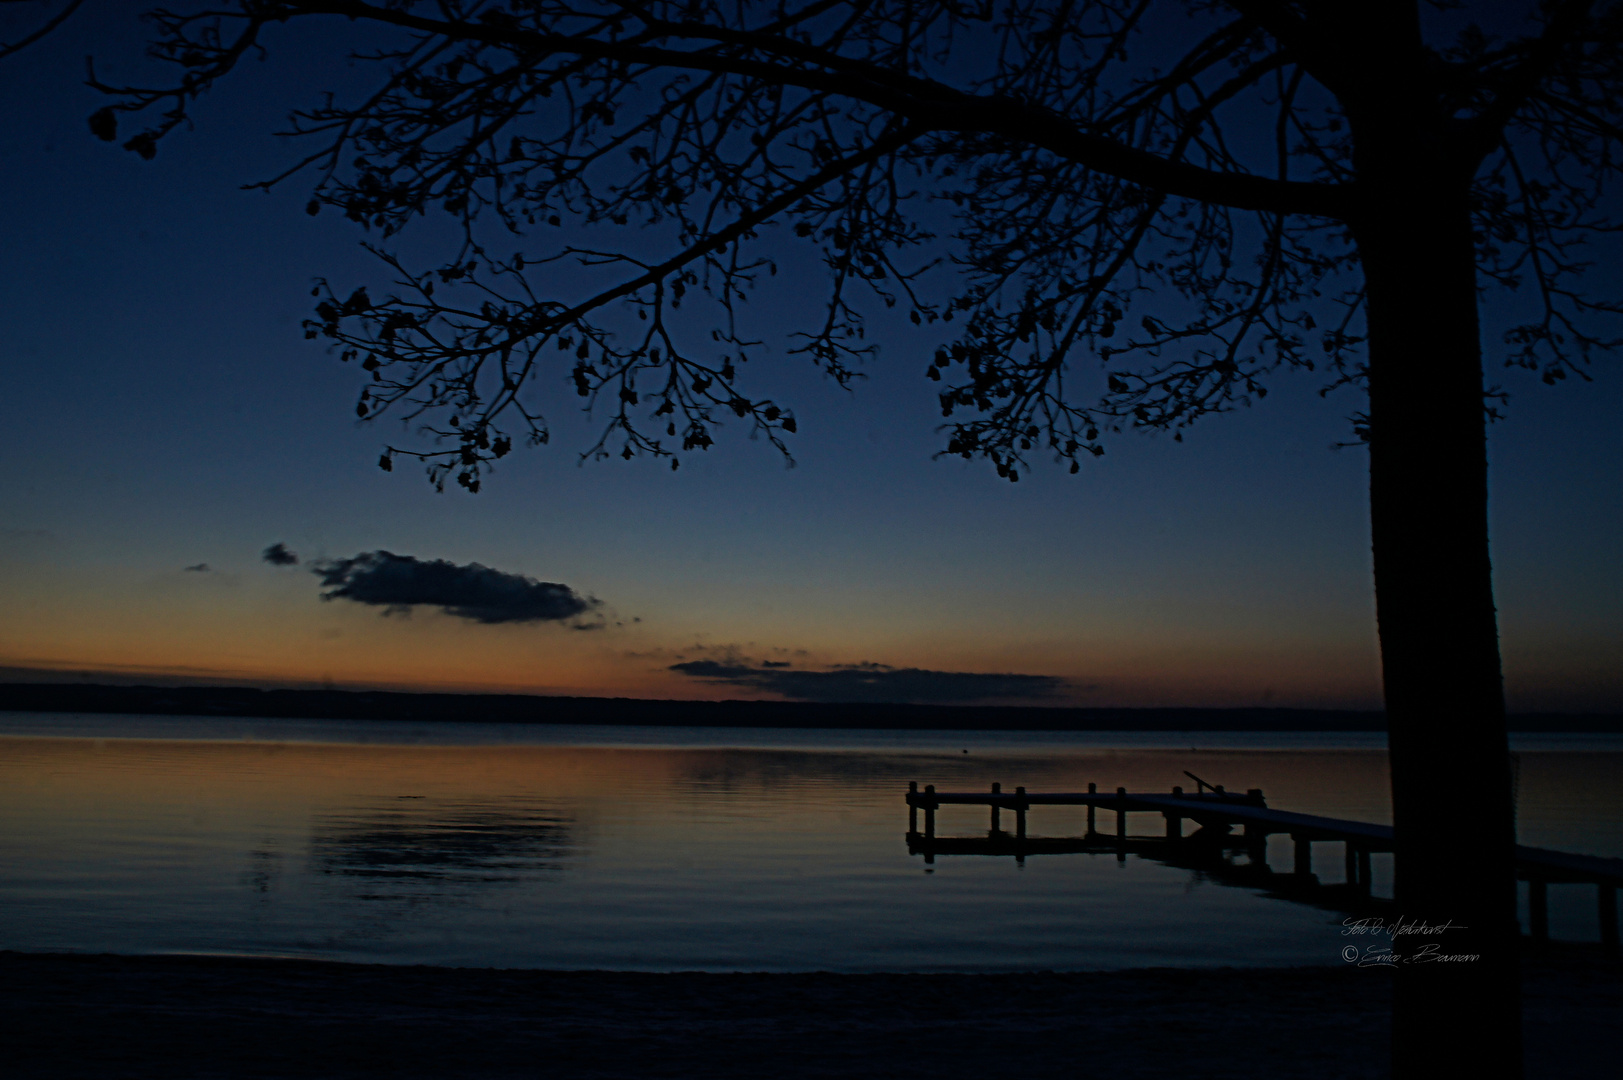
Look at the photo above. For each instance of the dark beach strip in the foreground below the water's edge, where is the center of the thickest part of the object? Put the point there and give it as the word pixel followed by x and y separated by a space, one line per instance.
pixel 80 1016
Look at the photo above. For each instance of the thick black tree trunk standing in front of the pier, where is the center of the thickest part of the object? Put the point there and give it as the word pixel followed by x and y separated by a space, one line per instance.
pixel 1445 704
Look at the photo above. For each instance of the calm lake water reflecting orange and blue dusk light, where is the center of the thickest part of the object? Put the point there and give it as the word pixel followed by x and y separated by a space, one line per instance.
pixel 669 849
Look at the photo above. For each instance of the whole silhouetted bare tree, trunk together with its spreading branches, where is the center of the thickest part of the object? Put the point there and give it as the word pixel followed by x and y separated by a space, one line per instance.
pixel 1116 214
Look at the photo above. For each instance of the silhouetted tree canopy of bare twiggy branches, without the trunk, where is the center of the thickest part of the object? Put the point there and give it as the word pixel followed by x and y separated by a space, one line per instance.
pixel 1109 214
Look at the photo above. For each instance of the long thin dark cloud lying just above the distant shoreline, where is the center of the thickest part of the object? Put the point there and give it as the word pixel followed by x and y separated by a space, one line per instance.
pixel 872 683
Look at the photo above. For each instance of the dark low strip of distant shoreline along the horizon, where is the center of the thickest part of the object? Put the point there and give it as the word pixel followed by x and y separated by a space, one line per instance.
pixel 390 706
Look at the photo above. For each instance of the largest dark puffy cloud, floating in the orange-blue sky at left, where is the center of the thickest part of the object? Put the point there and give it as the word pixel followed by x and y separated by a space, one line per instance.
pixel 475 592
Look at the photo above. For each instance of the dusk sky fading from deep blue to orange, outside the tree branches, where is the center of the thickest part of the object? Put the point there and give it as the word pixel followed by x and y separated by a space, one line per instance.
pixel 163 423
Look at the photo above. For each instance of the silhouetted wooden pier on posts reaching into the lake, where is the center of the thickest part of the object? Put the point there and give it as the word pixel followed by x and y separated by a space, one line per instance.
pixel 1213 845
